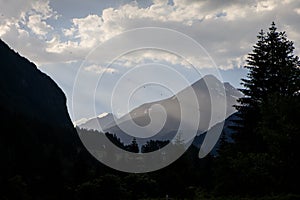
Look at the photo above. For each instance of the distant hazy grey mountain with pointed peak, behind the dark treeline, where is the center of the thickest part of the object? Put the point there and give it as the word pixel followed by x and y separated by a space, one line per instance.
pixel 174 107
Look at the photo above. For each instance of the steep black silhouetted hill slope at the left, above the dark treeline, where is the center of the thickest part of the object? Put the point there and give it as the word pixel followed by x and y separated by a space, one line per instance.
pixel 25 89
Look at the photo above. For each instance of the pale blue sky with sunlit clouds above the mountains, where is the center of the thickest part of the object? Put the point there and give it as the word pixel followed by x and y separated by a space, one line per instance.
pixel 90 48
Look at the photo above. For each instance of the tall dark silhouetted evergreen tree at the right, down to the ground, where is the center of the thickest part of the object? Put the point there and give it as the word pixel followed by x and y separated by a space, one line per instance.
pixel 263 158
